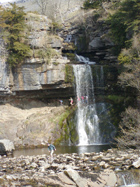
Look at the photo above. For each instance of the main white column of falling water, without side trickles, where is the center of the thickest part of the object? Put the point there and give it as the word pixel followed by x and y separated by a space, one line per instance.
pixel 87 119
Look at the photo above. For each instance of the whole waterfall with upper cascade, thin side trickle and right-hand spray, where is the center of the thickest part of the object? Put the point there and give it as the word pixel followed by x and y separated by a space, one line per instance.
pixel 93 120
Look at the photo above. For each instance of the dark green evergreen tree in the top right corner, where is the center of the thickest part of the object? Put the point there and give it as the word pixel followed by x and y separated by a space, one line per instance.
pixel 125 23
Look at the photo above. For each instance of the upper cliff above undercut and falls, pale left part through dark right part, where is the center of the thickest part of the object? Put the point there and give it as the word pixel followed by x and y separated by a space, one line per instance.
pixel 82 31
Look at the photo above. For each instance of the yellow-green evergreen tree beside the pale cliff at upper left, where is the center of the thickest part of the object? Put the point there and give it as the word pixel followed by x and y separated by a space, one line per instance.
pixel 12 23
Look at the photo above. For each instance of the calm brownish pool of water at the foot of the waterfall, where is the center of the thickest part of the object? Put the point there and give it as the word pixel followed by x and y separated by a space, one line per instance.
pixel 62 150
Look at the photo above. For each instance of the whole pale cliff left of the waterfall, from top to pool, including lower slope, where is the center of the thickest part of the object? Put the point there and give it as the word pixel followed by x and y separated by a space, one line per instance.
pixel 25 119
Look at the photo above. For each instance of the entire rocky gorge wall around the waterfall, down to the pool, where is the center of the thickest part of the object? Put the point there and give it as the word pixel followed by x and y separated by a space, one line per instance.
pixel 30 92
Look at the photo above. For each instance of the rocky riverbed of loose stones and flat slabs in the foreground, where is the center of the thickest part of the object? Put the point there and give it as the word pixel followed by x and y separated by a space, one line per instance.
pixel 69 170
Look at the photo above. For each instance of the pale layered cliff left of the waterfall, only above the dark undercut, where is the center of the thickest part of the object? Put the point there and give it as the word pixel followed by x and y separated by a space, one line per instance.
pixel 38 72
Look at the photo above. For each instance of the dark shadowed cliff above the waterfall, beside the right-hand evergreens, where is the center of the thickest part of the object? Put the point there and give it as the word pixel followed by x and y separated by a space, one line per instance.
pixel 88 30
